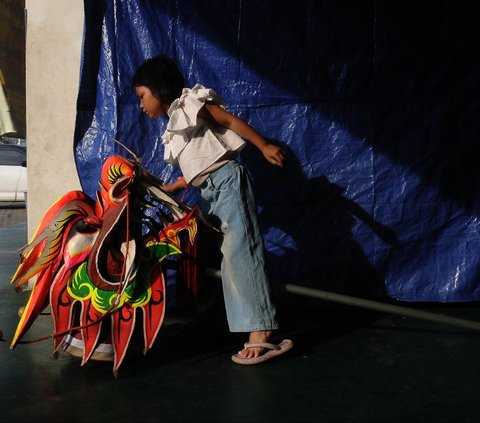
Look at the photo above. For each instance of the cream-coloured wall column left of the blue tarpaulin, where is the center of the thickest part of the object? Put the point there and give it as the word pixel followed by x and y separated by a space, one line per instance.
pixel 53 51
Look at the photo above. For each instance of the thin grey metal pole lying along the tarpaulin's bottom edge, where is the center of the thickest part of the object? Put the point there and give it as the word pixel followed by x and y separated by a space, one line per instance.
pixel 378 306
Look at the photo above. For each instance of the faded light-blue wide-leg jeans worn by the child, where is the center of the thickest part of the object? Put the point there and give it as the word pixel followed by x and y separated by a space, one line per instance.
pixel 227 198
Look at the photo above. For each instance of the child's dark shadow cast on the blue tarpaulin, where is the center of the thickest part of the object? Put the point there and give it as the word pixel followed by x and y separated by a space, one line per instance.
pixel 317 221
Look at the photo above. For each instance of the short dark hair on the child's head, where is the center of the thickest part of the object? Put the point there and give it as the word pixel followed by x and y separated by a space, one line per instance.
pixel 161 75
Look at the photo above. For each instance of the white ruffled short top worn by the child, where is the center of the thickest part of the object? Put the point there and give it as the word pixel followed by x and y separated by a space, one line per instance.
pixel 194 144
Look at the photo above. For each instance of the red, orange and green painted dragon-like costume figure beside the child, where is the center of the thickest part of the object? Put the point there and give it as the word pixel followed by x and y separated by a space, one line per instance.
pixel 93 261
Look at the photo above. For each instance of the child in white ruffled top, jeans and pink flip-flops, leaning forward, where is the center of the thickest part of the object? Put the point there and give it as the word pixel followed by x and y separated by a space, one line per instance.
pixel 203 139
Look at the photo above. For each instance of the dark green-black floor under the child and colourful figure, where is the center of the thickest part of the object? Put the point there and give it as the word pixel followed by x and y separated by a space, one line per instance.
pixel 348 365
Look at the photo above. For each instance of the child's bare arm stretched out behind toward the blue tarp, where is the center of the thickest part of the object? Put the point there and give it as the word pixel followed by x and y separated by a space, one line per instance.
pixel 214 113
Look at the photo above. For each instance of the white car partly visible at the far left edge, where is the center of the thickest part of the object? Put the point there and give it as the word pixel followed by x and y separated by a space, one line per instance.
pixel 13 173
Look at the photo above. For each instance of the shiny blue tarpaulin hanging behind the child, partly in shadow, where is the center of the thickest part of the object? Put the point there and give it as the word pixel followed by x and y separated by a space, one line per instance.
pixel 376 103
